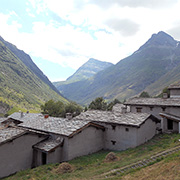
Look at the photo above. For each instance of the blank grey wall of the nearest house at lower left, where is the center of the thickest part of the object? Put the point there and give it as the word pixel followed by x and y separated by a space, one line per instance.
pixel 17 154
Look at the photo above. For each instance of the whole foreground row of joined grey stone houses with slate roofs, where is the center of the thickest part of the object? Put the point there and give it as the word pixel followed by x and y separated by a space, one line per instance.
pixel 29 140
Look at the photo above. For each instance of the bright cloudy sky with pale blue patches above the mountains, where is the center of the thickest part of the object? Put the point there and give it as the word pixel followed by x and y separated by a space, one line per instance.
pixel 61 35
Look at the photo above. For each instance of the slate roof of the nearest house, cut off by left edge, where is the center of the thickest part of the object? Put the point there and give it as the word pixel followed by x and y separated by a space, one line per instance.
pixel 9 133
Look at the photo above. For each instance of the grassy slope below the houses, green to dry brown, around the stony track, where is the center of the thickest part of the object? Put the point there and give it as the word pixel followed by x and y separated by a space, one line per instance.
pixel 94 166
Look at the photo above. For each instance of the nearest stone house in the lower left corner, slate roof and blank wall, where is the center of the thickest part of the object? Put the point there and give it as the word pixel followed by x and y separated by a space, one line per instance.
pixel 16 151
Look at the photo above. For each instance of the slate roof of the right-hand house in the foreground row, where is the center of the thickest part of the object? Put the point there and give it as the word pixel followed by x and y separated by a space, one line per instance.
pixel 132 119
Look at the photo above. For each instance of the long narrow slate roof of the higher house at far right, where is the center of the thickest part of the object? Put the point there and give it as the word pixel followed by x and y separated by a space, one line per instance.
pixel 154 102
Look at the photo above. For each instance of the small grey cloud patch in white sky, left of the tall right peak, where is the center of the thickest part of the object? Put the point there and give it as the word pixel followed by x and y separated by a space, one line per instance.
pixel 125 26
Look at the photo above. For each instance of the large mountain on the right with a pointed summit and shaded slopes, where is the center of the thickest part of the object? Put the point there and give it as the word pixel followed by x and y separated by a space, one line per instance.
pixel 157 61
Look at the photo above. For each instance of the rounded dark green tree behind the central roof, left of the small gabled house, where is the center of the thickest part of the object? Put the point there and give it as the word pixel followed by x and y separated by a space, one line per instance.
pixel 98 104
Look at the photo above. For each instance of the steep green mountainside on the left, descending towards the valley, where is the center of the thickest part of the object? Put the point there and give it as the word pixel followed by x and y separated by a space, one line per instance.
pixel 22 84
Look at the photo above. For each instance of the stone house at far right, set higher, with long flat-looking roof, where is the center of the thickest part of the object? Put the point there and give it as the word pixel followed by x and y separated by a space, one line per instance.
pixel 167 109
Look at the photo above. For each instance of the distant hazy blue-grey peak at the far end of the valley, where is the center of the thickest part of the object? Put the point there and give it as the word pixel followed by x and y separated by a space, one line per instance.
pixel 86 71
